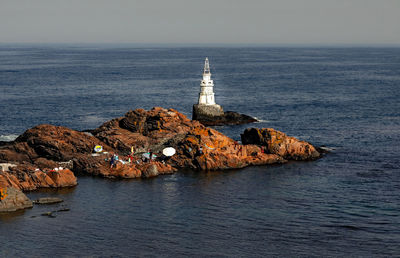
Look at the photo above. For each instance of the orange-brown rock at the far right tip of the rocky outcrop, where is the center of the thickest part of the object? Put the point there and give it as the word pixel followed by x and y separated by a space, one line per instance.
pixel 279 143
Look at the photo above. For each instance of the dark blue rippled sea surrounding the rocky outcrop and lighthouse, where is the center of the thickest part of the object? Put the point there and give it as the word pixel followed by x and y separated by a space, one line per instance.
pixel 345 204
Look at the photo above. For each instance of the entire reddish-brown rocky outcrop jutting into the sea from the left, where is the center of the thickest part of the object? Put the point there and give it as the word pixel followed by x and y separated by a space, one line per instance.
pixel 48 156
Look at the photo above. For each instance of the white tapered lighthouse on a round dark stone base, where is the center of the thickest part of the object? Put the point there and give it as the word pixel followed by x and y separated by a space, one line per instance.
pixel 206 109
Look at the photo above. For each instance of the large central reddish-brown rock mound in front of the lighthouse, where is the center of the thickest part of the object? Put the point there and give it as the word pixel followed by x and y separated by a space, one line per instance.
pixel 198 147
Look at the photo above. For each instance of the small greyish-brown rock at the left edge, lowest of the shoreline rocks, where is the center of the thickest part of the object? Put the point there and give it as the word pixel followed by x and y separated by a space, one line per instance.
pixel 13 199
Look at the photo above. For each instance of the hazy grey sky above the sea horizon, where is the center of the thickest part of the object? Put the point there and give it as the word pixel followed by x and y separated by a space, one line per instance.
pixel 207 21
